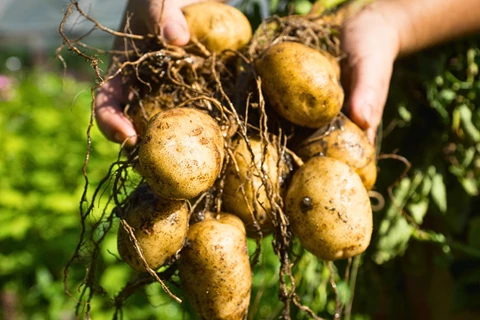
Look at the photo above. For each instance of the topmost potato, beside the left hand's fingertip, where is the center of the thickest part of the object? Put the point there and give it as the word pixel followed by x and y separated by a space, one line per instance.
pixel 217 26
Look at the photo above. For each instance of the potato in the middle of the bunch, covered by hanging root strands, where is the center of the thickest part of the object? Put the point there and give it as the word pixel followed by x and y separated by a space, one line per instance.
pixel 256 202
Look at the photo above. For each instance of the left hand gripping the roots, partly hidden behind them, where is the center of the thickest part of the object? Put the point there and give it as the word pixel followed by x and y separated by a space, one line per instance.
pixel 148 17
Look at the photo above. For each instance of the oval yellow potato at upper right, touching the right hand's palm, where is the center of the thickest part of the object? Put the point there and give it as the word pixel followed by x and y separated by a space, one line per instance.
pixel 300 83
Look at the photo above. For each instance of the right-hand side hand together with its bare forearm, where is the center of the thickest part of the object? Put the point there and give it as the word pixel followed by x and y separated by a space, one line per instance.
pixel 374 37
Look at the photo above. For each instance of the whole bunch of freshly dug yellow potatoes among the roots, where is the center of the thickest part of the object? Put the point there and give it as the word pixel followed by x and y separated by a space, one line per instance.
pixel 184 152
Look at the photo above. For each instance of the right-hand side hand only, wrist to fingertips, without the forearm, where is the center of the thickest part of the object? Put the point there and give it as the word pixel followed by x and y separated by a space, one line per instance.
pixel 371 44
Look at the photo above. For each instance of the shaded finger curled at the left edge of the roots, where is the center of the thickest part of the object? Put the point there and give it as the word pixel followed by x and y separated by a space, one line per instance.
pixel 109 115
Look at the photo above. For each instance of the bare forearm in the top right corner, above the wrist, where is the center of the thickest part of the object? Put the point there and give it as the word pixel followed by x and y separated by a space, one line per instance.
pixel 423 23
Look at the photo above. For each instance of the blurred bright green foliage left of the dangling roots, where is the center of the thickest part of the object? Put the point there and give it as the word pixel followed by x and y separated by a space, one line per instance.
pixel 42 152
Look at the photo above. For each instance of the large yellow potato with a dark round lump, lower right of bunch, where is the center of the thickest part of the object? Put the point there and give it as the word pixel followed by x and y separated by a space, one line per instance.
pixel 329 209
